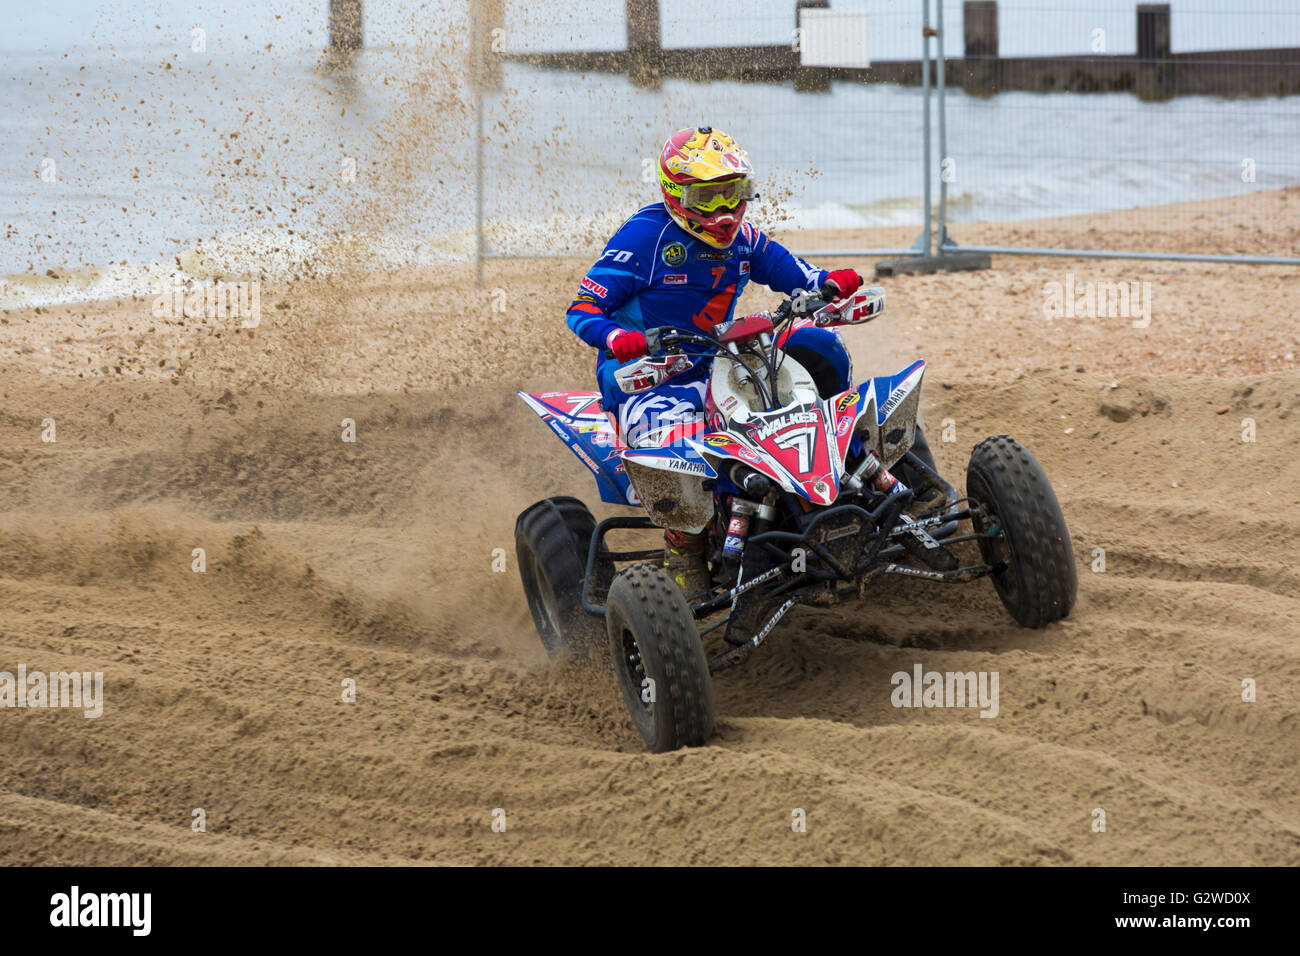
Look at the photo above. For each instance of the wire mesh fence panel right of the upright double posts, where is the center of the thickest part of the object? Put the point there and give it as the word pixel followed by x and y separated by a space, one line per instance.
pixel 1124 137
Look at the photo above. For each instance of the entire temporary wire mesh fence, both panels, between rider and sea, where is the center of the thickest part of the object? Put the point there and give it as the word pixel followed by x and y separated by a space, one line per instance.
pixel 1045 114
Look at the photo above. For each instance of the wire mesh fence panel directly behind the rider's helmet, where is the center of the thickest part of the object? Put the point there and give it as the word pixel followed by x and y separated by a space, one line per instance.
pixel 570 153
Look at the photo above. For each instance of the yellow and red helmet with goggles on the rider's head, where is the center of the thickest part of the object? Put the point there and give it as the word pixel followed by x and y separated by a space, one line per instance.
pixel 705 179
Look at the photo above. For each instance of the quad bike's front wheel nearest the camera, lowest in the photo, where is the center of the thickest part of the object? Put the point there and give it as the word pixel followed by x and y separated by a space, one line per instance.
pixel 660 660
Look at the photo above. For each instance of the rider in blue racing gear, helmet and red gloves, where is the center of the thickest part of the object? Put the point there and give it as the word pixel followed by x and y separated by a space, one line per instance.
pixel 684 263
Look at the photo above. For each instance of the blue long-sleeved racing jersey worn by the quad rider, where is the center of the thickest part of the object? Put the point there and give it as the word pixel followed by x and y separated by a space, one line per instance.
pixel 653 274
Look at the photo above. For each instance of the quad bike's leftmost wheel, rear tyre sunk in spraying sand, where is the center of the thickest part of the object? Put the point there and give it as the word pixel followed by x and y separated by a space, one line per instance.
pixel 552 540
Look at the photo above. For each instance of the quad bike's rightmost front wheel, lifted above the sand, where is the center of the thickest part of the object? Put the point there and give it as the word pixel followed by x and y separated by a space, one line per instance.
pixel 1007 482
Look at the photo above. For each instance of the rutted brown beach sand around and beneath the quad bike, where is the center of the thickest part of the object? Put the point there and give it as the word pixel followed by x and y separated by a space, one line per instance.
pixel 372 561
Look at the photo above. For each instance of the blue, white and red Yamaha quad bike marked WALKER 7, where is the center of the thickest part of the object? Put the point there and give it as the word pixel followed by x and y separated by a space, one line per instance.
pixel 807 495
